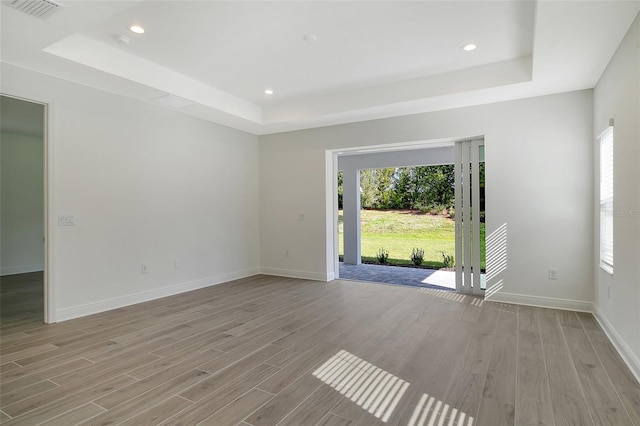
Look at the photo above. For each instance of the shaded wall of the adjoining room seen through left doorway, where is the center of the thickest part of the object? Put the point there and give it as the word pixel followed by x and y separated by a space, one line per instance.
pixel 22 204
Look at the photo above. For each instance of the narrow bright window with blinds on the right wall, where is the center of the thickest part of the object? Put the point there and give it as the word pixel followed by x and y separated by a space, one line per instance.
pixel 606 200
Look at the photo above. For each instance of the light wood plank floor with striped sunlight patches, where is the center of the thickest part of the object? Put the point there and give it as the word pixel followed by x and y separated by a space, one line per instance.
pixel 267 351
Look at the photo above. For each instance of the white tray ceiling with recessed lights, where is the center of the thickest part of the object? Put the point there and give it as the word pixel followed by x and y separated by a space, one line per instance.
pixel 371 59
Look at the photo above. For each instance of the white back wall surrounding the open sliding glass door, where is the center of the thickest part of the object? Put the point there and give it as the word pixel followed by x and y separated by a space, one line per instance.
pixel 539 181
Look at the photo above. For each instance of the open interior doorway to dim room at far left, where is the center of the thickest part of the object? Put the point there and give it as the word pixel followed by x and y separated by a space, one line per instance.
pixel 23 254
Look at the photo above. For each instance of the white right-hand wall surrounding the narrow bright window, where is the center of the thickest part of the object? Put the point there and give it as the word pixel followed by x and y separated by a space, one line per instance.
pixel 617 96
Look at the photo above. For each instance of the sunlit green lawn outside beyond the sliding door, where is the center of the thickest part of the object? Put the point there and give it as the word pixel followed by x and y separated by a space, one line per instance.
pixel 399 231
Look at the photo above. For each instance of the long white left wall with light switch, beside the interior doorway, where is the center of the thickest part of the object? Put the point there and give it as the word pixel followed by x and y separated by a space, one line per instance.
pixel 146 185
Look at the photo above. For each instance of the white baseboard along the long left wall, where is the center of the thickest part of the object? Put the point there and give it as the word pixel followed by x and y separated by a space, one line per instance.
pixel 131 299
